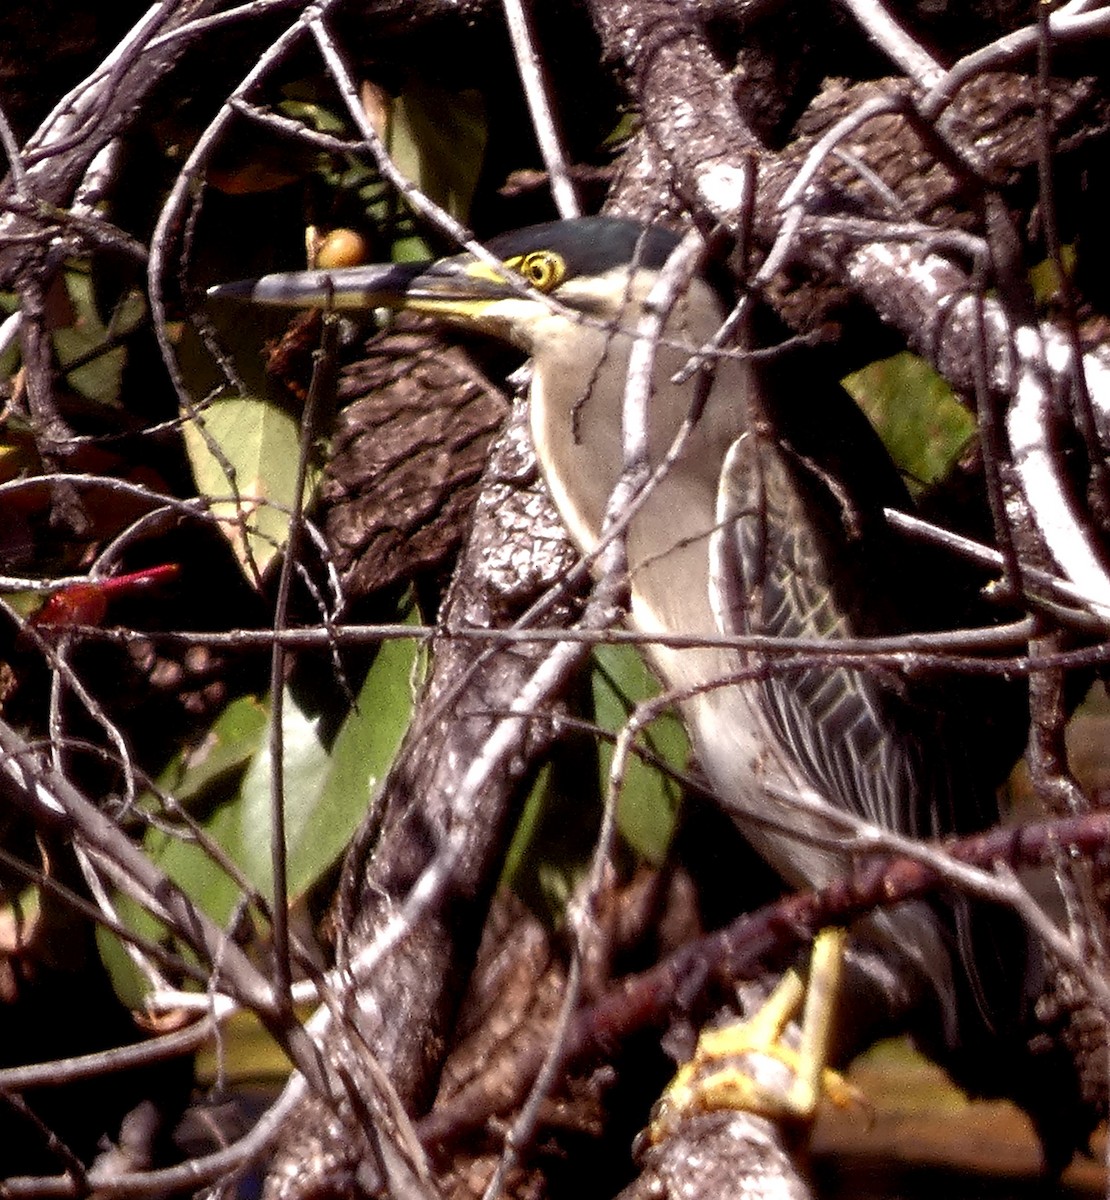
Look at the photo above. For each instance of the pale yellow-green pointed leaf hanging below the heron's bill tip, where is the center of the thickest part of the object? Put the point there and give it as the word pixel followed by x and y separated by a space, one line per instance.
pixel 261 442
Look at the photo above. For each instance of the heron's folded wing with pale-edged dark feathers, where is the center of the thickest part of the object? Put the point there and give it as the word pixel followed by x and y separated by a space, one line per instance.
pixel 856 733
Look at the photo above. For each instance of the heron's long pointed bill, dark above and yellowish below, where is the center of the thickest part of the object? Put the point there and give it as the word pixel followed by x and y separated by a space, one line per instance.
pixel 445 286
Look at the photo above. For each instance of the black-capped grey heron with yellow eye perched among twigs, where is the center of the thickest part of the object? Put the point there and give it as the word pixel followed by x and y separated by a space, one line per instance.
pixel 769 521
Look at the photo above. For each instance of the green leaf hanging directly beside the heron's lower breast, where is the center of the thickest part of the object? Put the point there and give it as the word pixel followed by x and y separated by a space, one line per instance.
pixel 649 797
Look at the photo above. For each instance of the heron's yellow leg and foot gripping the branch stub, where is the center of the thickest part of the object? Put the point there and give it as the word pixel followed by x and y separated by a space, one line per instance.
pixel 716 1081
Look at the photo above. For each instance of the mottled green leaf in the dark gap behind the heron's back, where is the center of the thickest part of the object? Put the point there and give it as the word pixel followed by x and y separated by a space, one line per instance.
pixel 926 429
